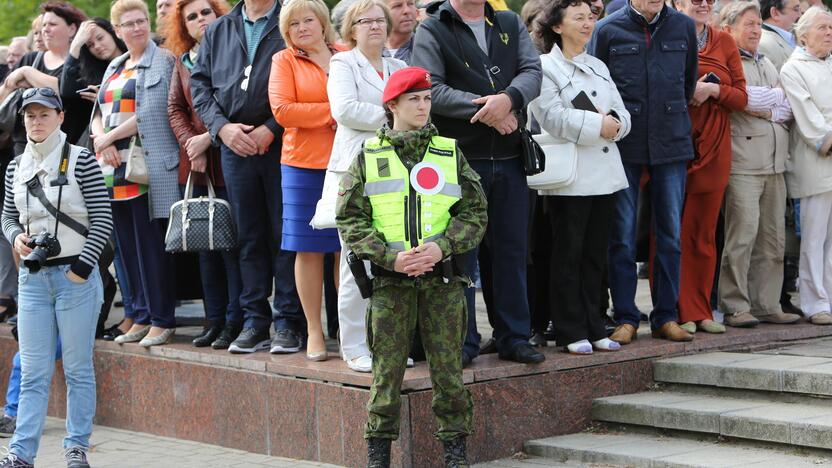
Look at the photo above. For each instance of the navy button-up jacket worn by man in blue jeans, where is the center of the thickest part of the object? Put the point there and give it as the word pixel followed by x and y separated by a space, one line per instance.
pixel 655 70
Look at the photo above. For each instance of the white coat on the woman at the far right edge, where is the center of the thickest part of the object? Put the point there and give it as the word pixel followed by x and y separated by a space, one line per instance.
pixel 805 79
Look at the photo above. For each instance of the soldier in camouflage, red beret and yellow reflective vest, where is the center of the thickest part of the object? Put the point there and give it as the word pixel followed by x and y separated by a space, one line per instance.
pixel 409 286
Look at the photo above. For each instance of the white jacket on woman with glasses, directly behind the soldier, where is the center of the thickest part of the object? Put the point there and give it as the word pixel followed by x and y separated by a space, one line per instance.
pixel 355 89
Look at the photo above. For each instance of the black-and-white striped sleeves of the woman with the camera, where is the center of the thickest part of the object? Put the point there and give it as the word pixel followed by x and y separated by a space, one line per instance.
pixel 89 179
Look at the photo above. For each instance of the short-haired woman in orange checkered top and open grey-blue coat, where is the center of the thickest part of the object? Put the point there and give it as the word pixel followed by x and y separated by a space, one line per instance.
pixel 130 115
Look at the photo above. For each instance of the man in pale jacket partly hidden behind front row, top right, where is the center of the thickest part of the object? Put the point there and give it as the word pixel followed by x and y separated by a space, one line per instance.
pixel 778 41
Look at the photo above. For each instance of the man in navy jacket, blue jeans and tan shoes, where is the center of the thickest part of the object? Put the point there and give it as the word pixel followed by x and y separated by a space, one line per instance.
pixel 651 53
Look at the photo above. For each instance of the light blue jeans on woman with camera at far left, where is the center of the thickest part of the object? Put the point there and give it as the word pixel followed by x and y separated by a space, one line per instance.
pixel 52 305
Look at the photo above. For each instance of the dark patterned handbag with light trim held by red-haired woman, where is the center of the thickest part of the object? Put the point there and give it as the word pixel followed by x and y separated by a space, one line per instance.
pixel 200 224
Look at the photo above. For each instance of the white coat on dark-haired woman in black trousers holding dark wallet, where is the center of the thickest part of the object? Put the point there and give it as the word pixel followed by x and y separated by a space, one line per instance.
pixel 600 170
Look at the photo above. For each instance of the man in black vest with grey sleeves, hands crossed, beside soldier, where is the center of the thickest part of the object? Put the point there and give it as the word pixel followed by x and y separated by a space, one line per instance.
pixel 485 70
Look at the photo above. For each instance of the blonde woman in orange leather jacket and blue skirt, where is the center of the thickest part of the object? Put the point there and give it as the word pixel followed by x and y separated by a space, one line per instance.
pixel 297 93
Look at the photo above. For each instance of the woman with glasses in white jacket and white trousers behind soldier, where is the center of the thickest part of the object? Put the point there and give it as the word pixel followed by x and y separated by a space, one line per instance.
pixel 356 82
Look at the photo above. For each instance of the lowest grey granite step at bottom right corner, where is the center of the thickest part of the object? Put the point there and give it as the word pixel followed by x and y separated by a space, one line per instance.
pixel 655 451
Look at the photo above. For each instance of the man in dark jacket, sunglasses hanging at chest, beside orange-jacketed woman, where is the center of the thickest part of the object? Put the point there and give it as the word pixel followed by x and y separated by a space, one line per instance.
pixel 229 84
